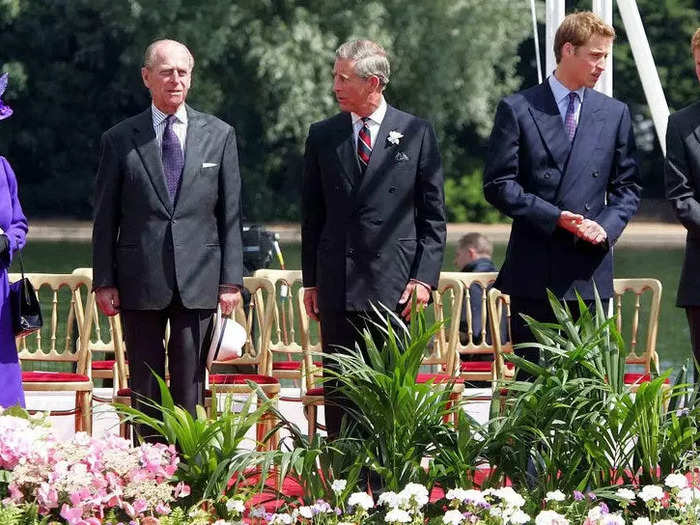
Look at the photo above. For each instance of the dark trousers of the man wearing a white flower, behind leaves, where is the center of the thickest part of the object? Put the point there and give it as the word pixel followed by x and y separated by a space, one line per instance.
pixel 341 331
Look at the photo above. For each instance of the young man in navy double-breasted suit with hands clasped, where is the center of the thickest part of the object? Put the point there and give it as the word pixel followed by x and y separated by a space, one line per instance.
pixel 560 163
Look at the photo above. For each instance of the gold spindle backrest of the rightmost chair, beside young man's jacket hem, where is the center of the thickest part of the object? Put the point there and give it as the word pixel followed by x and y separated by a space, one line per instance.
pixel 637 304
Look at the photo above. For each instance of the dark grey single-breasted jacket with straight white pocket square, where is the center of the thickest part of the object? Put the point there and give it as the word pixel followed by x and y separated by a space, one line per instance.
pixel 149 247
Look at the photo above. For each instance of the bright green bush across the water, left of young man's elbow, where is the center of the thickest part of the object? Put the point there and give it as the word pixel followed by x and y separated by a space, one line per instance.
pixel 464 198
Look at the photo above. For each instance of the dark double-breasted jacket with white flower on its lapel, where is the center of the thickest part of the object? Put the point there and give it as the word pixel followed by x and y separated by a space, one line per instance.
pixel 365 236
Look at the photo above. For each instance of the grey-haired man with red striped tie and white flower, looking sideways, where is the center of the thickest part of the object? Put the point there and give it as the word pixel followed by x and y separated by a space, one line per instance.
pixel 373 206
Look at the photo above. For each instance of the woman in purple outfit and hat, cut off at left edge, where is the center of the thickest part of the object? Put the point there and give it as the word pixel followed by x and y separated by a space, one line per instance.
pixel 13 230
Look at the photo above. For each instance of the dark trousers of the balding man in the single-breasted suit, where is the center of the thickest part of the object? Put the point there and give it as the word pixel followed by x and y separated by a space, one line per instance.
pixel 144 333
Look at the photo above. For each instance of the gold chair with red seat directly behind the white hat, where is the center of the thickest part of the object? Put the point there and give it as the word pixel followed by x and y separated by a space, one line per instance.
pixel 258 322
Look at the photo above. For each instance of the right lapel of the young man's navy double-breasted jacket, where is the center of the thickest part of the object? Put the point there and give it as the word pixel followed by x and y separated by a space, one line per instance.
pixel 585 141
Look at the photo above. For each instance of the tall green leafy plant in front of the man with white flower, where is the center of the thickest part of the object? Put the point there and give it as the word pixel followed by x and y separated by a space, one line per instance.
pixel 399 420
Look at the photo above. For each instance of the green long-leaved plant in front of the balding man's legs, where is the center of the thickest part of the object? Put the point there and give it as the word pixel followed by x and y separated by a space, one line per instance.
pixel 209 447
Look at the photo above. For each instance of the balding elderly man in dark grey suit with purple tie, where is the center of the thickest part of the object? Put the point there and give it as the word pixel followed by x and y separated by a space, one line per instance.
pixel 166 237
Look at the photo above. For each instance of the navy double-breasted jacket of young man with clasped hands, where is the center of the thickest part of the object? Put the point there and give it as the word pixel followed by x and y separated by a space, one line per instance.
pixel 533 173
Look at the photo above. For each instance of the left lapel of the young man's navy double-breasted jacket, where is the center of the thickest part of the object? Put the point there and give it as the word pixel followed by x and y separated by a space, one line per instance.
pixel 547 118
